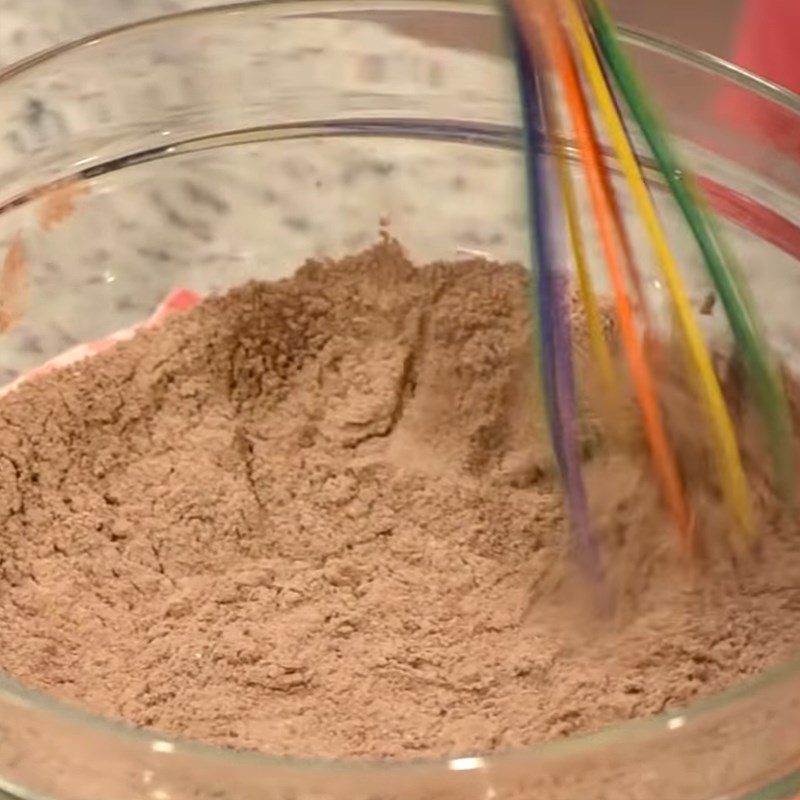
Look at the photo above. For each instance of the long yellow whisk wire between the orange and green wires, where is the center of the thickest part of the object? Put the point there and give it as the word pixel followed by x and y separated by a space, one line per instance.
pixel 726 448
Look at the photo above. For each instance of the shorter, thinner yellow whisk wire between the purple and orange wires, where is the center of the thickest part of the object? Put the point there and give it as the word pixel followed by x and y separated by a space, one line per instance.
pixel 594 322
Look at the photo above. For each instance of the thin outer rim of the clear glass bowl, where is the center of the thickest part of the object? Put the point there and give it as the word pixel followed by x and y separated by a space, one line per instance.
pixel 14 694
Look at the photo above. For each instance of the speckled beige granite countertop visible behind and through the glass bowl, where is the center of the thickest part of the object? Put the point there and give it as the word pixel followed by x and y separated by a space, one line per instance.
pixel 212 219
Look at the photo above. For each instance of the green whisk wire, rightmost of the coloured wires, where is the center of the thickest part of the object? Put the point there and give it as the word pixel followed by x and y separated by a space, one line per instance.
pixel 733 295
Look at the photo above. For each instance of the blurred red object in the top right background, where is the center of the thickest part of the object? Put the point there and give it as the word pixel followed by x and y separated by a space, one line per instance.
pixel 768 44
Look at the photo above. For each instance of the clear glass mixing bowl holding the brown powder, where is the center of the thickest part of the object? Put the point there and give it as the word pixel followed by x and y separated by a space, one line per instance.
pixel 203 149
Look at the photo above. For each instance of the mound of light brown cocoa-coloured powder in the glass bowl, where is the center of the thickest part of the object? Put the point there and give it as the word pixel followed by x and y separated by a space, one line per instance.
pixel 318 517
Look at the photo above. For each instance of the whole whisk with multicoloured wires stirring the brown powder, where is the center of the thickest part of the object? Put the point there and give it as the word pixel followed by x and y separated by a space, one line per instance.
pixel 576 83
